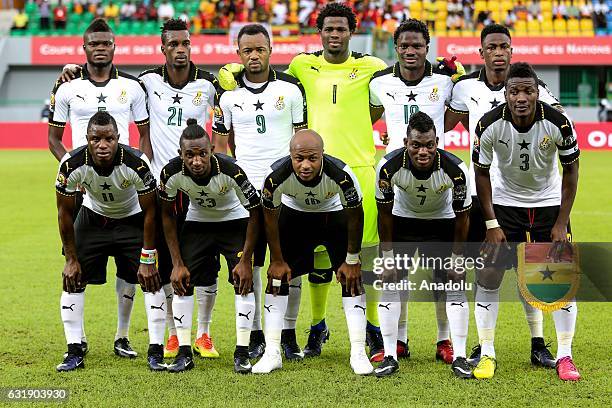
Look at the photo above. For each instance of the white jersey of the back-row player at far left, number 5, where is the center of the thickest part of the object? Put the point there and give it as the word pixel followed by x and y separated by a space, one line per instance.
pixel 77 101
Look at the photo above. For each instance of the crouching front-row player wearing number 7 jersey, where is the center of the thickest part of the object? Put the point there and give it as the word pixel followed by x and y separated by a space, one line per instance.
pixel 423 197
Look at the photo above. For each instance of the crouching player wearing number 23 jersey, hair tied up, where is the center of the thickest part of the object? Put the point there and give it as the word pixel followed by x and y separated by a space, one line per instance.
pixel 216 223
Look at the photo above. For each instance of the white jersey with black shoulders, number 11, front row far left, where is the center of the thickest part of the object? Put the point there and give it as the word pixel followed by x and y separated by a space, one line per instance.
pixel 112 193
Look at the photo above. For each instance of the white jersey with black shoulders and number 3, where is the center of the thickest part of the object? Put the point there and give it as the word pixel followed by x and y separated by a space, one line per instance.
pixel 526 157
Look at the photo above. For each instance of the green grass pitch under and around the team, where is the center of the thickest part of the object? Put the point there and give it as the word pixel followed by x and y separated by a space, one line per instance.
pixel 32 340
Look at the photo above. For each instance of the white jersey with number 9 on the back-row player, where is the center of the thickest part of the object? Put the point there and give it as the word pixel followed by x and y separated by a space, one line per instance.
pixel 263 120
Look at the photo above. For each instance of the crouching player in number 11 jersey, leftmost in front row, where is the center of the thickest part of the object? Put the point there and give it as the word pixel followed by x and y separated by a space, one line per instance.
pixel 118 184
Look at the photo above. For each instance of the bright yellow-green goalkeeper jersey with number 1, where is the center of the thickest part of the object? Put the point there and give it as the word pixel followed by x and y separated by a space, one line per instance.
pixel 337 96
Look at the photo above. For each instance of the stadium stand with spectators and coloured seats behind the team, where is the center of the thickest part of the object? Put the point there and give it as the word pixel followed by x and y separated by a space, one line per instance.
pixel 444 17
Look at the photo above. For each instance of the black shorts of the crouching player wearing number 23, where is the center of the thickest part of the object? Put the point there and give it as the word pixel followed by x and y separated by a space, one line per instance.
pixel 201 244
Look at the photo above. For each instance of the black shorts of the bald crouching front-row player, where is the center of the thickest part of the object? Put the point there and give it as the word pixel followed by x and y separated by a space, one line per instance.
pixel 301 232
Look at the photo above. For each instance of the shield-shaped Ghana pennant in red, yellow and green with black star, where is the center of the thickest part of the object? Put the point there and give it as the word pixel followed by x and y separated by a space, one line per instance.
pixel 545 284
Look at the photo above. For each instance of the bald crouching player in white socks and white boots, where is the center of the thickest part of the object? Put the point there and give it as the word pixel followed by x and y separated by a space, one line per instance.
pixel 313 188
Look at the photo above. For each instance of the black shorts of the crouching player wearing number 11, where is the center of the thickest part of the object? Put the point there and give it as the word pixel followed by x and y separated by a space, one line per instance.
pixel 98 237
